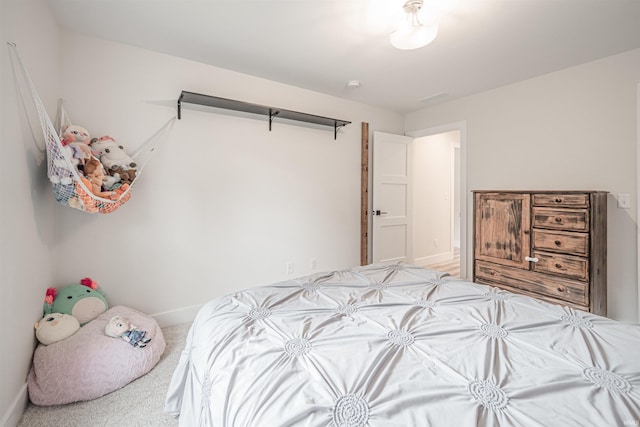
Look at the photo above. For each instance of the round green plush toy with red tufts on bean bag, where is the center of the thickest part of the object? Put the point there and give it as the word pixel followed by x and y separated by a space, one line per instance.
pixel 84 301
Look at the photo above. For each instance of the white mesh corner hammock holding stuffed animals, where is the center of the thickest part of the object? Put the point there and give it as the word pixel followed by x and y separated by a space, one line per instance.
pixel 70 187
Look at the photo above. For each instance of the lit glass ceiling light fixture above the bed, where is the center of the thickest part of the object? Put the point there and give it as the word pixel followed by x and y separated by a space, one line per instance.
pixel 411 34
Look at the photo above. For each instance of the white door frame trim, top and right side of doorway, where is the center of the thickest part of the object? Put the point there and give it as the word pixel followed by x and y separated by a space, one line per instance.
pixel 464 197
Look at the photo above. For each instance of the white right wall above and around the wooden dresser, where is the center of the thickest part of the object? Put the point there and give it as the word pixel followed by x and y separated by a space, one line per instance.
pixel 574 129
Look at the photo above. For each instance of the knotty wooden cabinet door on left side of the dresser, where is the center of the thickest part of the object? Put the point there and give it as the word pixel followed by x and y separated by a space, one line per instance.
pixel 503 223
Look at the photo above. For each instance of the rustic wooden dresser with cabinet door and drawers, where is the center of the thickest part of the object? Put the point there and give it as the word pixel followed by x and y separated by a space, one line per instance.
pixel 551 245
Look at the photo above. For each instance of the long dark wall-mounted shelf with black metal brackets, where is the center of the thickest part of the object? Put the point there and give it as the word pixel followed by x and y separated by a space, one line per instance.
pixel 271 112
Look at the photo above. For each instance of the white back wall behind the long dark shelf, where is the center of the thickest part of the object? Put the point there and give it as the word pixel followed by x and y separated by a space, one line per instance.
pixel 223 204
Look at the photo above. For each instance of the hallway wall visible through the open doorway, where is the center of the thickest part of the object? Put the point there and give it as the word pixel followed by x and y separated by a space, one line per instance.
pixel 432 197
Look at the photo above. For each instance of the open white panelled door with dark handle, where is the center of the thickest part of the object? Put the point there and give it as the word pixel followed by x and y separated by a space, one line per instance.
pixel 392 231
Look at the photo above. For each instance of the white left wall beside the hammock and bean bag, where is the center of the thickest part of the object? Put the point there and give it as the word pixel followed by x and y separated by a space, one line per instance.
pixel 26 207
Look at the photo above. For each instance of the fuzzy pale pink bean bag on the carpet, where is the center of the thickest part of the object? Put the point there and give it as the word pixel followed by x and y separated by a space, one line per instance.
pixel 90 364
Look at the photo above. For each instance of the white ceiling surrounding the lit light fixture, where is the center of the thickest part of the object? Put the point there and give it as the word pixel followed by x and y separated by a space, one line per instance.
pixel 323 44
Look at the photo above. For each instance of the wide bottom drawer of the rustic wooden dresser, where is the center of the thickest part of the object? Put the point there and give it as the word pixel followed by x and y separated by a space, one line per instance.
pixel 531 281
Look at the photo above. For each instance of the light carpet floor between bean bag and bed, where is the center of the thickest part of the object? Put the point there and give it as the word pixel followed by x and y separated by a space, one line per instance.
pixel 138 404
